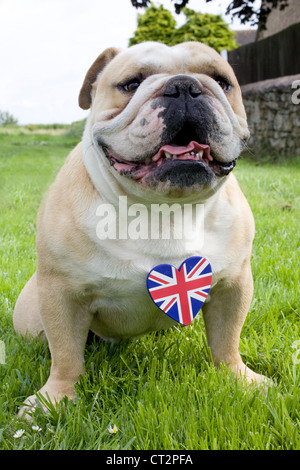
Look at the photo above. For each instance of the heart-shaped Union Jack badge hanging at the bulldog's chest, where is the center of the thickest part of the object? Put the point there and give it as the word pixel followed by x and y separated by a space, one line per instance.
pixel 180 293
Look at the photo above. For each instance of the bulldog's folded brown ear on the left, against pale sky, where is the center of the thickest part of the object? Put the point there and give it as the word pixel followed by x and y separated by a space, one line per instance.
pixel 85 98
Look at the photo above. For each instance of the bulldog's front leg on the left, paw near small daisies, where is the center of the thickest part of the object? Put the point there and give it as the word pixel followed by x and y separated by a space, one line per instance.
pixel 66 323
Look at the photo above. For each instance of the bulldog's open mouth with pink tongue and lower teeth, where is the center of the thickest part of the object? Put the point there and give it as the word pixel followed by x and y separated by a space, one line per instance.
pixel 172 153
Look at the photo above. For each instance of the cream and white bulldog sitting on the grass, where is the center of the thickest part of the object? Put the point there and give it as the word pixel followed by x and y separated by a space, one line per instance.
pixel 166 125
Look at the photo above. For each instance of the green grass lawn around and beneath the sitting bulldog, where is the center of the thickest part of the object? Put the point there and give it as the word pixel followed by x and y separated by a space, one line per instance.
pixel 161 391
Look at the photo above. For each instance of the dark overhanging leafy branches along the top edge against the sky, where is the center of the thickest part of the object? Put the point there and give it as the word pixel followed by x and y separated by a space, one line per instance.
pixel 242 9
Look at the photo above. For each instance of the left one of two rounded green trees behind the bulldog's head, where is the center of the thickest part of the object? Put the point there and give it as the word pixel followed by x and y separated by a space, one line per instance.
pixel 156 24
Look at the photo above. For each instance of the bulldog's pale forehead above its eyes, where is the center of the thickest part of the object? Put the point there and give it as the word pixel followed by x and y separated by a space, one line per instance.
pixel 150 58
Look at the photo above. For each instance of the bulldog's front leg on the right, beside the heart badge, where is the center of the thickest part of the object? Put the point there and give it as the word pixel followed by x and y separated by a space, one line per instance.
pixel 224 316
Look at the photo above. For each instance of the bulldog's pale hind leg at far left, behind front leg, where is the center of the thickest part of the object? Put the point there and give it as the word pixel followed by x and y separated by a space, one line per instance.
pixel 26 319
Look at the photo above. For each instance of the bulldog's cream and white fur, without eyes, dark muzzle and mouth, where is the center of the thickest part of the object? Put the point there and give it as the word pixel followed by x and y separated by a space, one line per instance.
pixel 84 283
